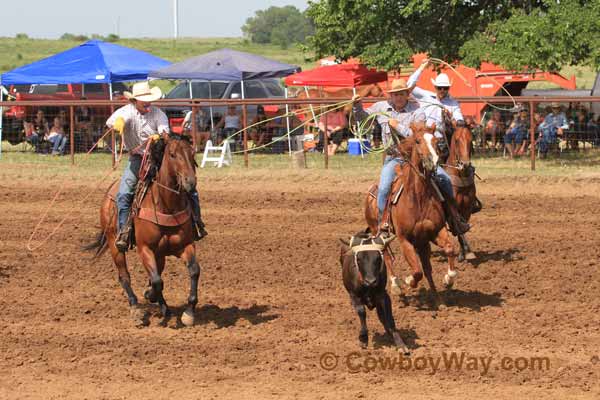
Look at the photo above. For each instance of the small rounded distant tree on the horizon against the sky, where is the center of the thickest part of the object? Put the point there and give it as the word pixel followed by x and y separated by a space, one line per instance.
pixel 278 25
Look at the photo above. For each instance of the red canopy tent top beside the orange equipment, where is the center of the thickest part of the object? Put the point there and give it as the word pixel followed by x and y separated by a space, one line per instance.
pixel 339 75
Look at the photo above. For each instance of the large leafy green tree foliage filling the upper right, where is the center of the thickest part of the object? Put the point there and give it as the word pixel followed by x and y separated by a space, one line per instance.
pixel 518 34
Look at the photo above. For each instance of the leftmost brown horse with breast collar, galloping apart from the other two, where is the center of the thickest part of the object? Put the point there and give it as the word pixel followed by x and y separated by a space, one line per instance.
pixel 163 227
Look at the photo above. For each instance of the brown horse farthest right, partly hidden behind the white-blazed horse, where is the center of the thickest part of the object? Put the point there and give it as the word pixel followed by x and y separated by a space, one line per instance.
pixel 462 175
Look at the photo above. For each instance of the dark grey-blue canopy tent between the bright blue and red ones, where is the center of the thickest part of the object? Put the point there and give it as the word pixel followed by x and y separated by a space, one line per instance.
pixel 225 65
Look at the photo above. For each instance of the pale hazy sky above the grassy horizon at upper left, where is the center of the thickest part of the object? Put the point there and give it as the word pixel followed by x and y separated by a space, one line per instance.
pixel 132 18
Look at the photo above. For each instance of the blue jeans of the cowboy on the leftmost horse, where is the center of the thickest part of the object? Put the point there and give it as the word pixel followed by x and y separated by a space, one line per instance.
pixel 127 187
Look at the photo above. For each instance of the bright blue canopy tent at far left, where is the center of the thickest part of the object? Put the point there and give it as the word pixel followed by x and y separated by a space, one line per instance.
pixel 94 61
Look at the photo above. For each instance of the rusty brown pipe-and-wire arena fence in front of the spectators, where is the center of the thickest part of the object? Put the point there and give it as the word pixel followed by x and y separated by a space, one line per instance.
pixel 63 127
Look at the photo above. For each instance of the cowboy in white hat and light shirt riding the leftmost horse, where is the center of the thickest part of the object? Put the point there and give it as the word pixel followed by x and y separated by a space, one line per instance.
pixel 138 122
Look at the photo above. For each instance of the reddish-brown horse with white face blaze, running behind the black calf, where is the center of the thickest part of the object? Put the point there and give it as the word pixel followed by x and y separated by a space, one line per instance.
pixel 418 215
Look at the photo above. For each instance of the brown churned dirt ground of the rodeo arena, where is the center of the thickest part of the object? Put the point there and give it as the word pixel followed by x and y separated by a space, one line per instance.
pixel 524 316
